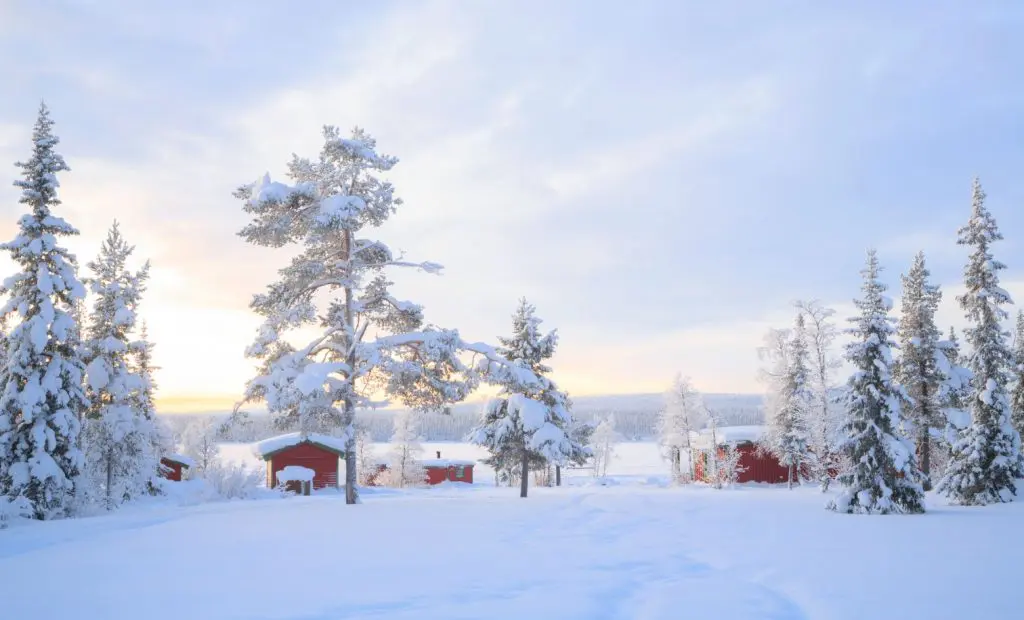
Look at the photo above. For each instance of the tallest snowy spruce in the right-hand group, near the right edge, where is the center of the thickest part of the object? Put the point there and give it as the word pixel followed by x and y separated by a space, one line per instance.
pixel 987 458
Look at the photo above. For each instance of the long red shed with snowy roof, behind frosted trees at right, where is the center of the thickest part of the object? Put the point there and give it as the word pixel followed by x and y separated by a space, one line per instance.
pixel 755 466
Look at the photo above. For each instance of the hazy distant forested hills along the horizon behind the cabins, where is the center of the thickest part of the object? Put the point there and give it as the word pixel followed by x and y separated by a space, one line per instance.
pixel 635 418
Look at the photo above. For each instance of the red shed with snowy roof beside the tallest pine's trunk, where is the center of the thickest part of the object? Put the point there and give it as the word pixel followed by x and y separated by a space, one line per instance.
pixel 322 453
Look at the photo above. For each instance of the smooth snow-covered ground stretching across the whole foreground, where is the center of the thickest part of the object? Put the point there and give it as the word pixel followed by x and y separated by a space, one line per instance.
pixel 633 551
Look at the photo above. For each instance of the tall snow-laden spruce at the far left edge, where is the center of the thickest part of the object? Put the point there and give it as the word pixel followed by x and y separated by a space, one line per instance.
pixel 42 398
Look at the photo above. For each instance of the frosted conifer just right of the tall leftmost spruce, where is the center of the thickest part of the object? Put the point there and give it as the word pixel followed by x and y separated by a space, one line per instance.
pixel 120 437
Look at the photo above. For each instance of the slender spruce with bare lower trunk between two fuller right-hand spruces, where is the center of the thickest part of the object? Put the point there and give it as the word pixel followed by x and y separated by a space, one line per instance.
pixel 919 369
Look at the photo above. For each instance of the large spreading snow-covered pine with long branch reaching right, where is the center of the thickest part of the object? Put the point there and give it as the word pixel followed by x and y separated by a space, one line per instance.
pixel 368 342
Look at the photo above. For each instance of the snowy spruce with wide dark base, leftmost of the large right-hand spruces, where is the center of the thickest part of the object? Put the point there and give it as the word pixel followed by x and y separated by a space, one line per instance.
pixel 883 476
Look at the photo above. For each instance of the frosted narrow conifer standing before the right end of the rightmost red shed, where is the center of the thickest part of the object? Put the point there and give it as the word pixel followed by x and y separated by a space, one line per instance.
pixel 789 403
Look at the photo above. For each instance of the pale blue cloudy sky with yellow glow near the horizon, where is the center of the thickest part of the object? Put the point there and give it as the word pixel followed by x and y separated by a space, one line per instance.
pixel 662 180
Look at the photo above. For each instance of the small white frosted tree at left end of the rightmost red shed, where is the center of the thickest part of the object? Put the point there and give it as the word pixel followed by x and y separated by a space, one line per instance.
pixel 684 414
